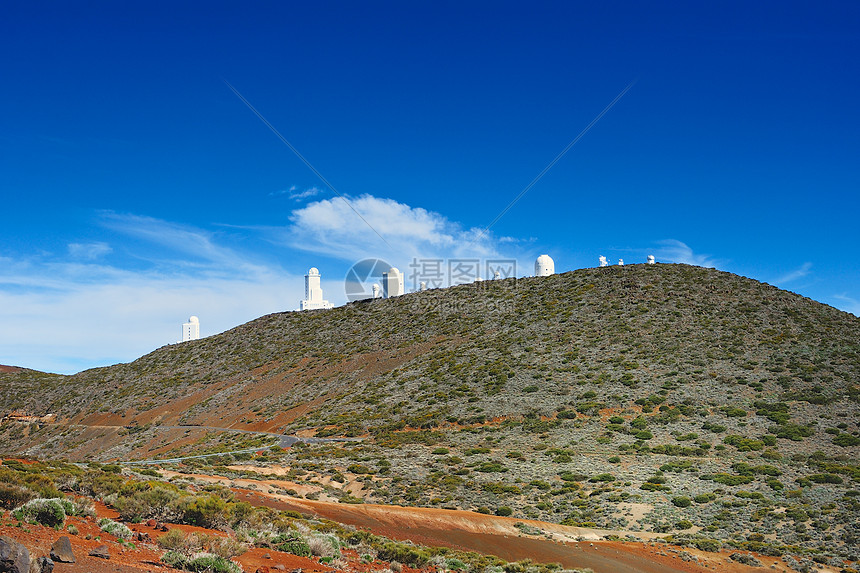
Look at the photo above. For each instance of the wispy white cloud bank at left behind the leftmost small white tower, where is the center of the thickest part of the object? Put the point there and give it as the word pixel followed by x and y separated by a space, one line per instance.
pixel 64 314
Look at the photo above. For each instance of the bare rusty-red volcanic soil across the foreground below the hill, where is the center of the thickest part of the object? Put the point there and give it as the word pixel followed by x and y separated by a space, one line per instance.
pixel 457 529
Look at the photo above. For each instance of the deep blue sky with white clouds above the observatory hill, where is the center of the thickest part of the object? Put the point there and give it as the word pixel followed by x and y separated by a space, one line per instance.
pixel 138 189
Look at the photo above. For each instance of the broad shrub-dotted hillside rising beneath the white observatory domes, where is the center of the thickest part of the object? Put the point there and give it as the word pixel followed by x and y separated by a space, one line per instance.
pixel 659 398
